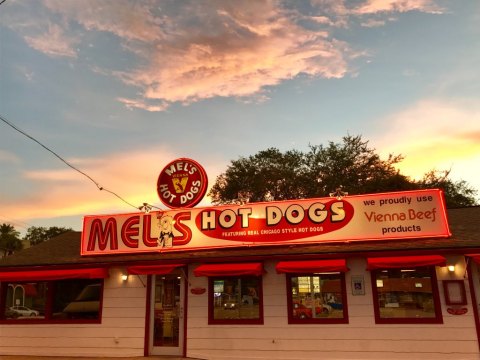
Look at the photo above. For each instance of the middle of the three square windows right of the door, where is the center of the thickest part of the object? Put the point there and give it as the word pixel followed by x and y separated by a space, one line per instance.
pixel 316 298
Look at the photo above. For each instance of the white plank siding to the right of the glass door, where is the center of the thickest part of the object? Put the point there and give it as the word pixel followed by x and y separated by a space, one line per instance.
pixel 361 338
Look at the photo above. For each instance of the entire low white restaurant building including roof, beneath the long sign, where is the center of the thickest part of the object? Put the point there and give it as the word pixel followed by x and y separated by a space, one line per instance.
pixel 412 298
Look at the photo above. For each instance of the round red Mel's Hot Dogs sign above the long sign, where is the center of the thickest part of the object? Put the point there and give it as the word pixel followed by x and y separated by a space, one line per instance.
pixel 182 183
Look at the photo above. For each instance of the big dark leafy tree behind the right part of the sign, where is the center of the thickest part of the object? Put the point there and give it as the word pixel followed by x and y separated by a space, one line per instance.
pixel 351 164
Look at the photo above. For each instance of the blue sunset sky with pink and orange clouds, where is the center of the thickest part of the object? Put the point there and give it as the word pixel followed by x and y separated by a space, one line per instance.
pixel 120 88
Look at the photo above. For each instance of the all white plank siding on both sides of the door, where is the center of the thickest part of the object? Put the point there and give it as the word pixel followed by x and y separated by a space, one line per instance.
pixel 122 330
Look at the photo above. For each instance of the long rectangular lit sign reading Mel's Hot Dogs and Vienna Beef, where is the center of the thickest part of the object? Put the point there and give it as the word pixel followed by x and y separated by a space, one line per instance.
pixel 386 216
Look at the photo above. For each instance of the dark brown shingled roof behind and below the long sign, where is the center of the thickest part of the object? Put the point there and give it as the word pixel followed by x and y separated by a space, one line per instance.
pixel 65 249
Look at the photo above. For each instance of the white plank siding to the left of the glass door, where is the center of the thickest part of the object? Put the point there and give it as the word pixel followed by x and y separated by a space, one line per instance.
pixel 121 332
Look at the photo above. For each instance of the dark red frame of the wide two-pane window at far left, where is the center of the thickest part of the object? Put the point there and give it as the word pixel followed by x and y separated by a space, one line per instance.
pixel 49 301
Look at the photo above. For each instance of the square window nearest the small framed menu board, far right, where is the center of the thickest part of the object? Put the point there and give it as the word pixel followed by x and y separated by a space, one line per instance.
pixel 406 295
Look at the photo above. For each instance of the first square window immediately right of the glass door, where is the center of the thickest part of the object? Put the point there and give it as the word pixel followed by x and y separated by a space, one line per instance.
pixel 235 300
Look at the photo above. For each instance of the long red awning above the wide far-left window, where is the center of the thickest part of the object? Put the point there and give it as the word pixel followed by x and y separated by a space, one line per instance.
pixel 57 274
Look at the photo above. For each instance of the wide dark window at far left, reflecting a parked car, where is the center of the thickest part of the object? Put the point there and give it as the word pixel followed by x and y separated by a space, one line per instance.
pixel 52 301
